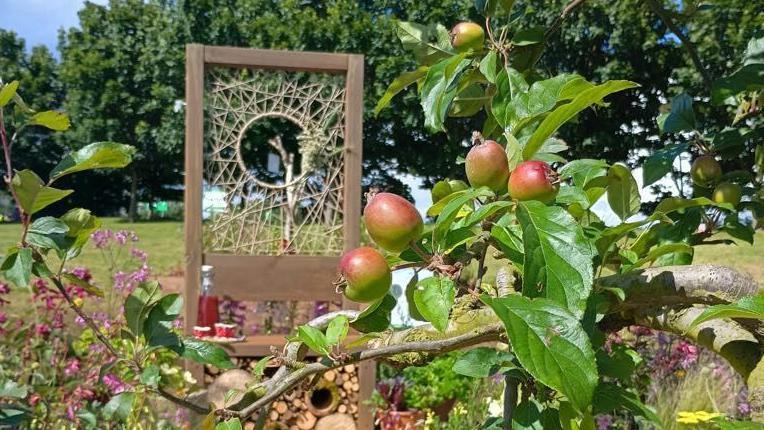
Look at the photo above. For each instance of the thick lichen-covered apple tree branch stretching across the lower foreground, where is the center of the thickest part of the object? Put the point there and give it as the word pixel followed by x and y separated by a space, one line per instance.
pixel 673 292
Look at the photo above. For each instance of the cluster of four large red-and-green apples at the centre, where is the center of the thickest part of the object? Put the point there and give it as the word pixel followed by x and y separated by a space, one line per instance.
pixel 394 224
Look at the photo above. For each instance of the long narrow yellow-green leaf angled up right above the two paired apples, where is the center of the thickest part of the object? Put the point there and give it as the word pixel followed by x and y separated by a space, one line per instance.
pixel 564 113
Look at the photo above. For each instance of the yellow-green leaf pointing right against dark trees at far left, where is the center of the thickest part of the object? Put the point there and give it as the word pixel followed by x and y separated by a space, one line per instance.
pixel 99 155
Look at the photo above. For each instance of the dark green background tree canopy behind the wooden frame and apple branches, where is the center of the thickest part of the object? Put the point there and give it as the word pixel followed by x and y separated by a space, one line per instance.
pixel 121 74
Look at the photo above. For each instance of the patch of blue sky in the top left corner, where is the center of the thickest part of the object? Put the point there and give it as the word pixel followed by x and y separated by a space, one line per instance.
pixel 38 21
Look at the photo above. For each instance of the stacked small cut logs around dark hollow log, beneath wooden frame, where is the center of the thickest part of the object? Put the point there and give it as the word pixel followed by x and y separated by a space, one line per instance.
pixel 331 403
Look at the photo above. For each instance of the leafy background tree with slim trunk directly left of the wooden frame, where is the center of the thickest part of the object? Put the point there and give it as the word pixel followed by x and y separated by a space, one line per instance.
pixel 123 75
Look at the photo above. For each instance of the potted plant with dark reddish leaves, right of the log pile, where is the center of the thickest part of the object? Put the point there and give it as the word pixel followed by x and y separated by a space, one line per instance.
pixel 392 413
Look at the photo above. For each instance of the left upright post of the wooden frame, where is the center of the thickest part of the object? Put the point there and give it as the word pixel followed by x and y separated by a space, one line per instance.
pixel 194 152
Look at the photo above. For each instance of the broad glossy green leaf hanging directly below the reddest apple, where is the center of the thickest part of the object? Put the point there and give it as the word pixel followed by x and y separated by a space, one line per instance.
pixel 558 257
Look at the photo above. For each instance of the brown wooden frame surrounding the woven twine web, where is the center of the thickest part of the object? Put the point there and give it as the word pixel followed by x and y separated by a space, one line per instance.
pixel 278 277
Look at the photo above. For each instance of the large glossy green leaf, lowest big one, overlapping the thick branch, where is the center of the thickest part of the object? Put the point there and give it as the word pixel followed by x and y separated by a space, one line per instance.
pixel 550 344
